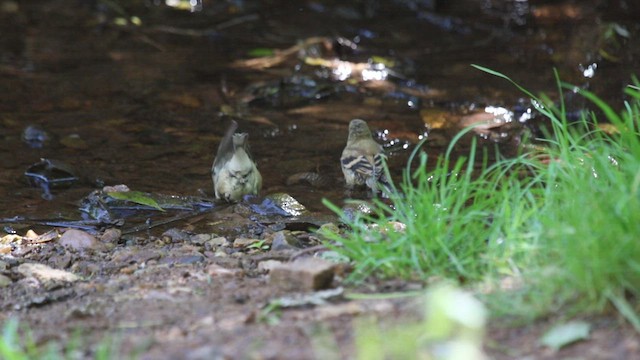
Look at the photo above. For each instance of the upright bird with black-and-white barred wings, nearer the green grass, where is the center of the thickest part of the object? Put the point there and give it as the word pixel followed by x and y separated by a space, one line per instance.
pixel 363 159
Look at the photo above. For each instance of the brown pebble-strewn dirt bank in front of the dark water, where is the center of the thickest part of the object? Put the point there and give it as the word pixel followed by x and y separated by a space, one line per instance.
pixel 196 296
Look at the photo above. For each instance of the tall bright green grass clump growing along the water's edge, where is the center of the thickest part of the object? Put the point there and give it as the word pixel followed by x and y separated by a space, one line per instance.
pixel 563 220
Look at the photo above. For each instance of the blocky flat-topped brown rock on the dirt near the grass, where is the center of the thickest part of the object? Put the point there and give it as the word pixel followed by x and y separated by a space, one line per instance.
pixel 303 274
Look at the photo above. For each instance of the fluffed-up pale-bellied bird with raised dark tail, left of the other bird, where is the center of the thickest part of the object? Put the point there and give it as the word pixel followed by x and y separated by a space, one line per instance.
pixel 234 172
